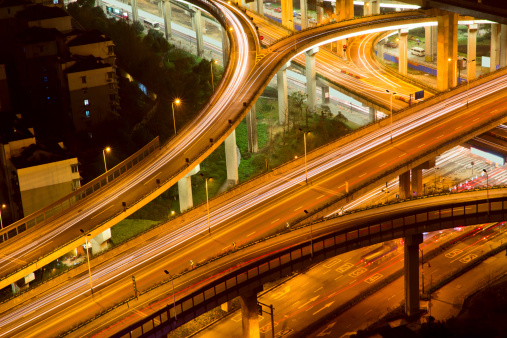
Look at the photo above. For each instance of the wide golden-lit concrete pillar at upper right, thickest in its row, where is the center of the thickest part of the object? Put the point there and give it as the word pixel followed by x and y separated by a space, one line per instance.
pixel 447 49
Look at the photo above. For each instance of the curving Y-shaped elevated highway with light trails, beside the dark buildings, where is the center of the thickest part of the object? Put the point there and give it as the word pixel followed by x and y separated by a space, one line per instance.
pixel 244 81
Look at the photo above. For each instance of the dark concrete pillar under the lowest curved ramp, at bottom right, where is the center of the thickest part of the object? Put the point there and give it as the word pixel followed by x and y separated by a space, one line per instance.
pixel 411 262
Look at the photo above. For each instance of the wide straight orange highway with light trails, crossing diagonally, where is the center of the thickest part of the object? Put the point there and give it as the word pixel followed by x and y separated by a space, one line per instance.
pixel 247 217
